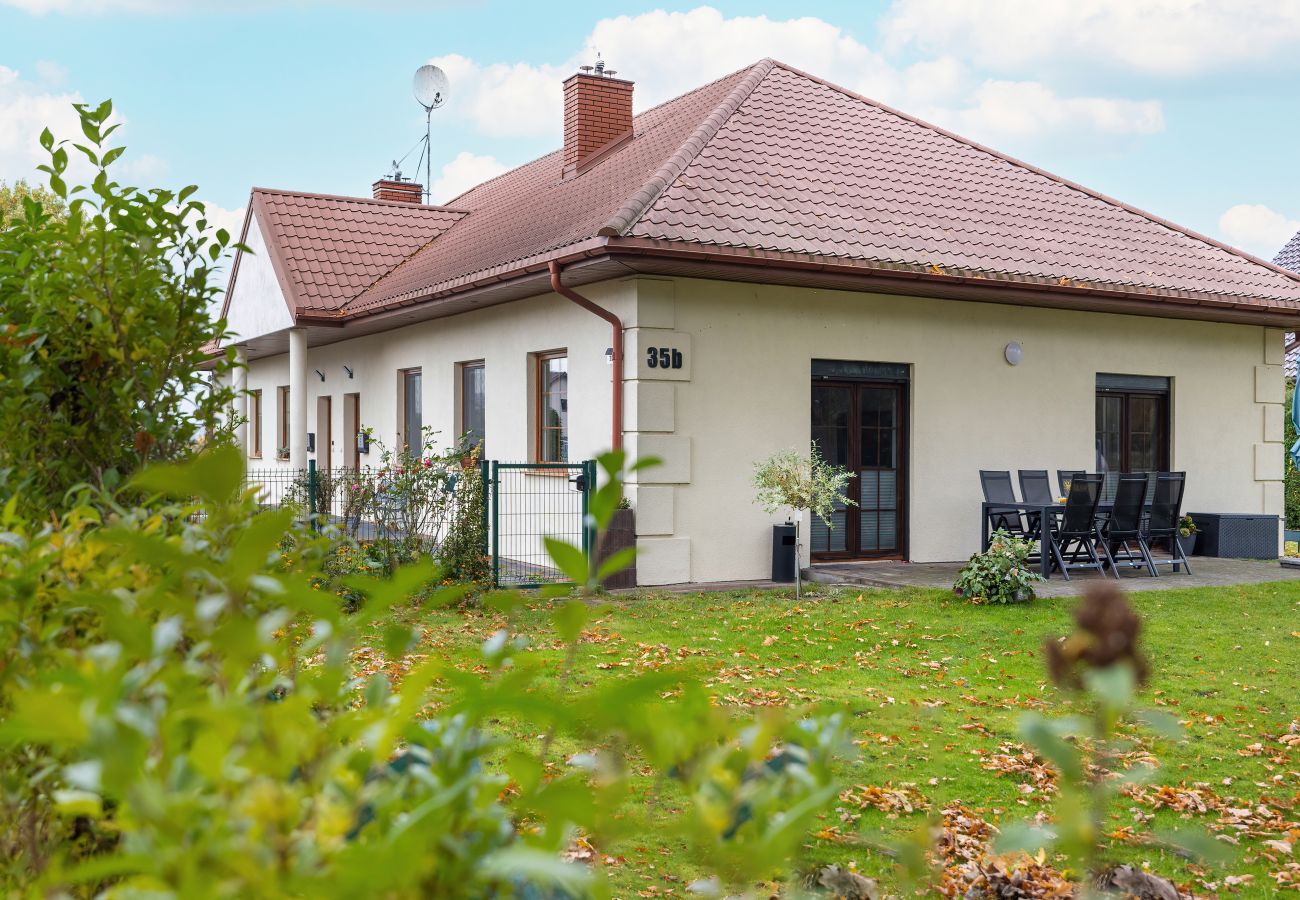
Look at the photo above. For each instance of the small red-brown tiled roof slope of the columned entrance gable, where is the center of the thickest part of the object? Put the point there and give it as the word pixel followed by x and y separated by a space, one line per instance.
pixel 330 249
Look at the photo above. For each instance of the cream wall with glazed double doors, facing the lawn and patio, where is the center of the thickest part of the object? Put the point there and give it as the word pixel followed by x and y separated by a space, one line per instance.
pixel 748 396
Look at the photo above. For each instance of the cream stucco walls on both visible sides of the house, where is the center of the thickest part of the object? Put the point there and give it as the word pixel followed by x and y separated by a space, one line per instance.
pixel 744 393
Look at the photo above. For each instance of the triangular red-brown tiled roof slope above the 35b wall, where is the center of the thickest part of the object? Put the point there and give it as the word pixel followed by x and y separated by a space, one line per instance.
pixel 807 167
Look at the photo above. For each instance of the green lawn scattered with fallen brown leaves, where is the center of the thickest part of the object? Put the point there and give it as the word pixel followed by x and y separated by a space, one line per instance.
pixel 935 687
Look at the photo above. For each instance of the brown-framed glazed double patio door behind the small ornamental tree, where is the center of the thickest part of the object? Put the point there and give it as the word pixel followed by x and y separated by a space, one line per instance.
pixel 863 427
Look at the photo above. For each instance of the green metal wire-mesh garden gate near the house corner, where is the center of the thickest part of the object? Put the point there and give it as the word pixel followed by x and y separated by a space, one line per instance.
pixel 527 503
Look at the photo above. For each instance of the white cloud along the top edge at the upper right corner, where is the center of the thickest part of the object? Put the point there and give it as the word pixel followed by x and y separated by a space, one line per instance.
pixel 1163 37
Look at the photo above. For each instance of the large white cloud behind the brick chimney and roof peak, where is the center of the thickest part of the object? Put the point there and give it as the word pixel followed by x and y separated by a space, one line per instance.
pixel 671 53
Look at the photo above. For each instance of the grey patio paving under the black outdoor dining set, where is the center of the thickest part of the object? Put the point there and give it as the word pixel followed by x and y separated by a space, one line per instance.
pixel 1207 573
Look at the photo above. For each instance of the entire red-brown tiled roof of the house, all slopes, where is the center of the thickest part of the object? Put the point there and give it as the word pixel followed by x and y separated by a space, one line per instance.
pixel 773 163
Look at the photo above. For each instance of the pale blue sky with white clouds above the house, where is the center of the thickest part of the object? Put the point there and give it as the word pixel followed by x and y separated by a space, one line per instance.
pixel 1186 109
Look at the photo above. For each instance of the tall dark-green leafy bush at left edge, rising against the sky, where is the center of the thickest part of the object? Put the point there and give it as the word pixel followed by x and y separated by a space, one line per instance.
pixel 105 322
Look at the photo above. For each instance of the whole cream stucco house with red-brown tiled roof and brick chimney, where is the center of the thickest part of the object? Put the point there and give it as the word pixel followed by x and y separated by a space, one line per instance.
pixel 768 259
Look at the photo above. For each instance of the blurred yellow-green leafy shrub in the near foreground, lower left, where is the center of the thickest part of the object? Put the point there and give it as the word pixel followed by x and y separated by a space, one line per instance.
pixel 180 716
